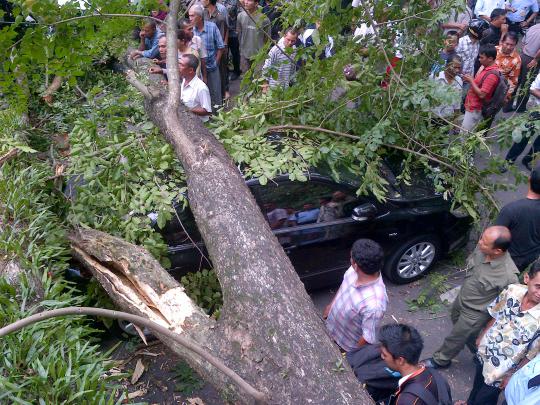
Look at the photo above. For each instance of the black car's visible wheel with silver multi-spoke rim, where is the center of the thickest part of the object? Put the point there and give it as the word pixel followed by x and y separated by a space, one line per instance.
pixel 412 259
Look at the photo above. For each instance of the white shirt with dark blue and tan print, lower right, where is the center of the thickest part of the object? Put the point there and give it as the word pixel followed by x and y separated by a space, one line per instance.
pixel 505 344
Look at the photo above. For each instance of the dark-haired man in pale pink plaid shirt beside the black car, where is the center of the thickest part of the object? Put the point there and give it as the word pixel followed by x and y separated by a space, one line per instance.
pixel 354 315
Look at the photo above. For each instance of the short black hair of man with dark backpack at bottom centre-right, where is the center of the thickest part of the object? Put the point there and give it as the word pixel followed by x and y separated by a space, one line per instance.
pixel 402 341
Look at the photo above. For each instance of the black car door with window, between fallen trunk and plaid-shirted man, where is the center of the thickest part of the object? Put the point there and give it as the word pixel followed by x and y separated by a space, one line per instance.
pixel 312 221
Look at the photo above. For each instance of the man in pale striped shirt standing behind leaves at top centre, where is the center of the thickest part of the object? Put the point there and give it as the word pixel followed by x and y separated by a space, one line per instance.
pixel 280 65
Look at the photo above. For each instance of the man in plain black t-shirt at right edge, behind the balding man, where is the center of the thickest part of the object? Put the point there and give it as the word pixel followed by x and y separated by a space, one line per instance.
pixel 522 217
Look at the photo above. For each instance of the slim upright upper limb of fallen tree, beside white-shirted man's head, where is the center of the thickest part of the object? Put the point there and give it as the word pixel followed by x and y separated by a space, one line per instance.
pixel 173 76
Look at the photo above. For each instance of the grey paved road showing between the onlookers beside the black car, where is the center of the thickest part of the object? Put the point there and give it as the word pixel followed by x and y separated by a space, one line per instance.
pixel 434 327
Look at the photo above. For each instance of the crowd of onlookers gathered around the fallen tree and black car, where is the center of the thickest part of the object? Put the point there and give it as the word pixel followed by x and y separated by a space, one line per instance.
pixel 497 310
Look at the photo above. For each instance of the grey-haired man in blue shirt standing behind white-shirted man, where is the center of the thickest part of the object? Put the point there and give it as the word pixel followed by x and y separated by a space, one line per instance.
pixel 209 33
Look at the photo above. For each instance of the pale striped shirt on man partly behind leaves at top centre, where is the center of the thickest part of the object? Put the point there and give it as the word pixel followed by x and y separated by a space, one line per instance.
pixel 278 68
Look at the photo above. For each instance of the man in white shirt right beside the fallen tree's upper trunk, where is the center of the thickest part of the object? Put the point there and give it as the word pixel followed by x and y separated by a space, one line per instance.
pixel 195 94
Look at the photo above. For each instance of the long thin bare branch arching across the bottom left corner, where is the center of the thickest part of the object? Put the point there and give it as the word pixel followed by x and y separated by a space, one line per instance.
pixel 188 343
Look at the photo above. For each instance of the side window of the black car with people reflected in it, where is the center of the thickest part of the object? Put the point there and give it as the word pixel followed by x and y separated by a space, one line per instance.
pixel 288 204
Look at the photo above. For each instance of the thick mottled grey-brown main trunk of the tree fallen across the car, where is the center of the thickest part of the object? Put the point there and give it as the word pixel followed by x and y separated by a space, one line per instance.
pixel 269 331
